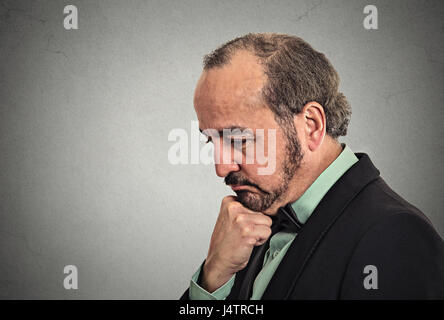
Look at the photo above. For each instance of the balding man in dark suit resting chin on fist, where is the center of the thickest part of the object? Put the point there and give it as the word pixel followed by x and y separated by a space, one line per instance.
pixel 323 224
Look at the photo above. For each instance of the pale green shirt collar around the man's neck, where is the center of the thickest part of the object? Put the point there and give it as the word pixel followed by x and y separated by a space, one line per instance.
pixel 307 203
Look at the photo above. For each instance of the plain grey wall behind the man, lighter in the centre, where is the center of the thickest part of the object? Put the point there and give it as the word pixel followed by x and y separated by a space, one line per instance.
pixel 85 115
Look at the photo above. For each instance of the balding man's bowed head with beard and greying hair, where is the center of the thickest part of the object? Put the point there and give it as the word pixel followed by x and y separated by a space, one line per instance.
pixel 272 82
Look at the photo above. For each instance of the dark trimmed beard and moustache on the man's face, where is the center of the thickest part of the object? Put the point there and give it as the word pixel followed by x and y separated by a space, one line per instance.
pixel 262 200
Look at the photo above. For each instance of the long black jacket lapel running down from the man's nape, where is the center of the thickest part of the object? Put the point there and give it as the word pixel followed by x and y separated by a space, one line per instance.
pixel 323 217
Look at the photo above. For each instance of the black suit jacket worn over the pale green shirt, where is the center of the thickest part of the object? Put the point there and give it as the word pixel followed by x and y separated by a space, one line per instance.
pixel 360 222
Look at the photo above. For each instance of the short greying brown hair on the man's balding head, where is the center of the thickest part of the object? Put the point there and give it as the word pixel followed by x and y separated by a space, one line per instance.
pixel 297 74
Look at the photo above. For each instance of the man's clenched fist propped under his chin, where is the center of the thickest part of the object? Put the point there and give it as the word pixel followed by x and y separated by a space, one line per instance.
pixel 235 234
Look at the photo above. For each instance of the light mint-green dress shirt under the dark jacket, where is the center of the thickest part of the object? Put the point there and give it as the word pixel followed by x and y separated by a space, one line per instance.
pixel 281 241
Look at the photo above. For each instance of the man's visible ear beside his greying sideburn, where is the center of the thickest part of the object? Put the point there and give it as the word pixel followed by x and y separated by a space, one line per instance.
pixel 314 124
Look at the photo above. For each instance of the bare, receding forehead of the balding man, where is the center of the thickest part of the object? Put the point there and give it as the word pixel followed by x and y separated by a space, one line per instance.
pixel 232 94
